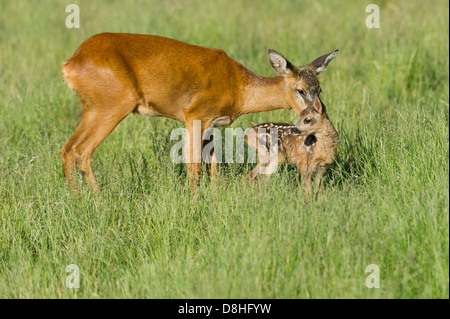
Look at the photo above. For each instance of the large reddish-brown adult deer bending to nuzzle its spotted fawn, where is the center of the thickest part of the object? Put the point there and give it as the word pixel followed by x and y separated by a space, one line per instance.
pixel 115 74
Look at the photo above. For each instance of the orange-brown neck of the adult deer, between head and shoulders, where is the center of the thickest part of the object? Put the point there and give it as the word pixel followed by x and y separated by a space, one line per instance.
pixel 262 94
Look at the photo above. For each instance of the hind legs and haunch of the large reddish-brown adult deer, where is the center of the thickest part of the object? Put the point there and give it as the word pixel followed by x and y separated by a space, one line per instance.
pixel 108 97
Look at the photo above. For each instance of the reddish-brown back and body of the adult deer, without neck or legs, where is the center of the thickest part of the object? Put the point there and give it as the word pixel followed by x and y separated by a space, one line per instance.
pixel 162 73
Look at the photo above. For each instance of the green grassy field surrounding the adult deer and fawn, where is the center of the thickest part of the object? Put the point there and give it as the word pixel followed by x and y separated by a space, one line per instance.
pixel 385 200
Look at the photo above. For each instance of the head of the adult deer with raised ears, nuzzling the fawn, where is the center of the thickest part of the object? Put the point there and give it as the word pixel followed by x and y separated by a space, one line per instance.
pixel 302 84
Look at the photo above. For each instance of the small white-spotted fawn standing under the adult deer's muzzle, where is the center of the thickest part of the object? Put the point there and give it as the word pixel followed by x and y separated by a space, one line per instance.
pixel 311 144
